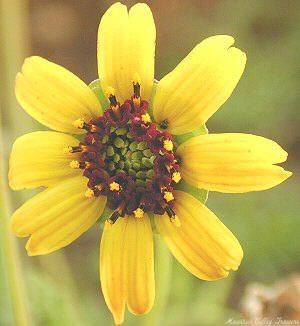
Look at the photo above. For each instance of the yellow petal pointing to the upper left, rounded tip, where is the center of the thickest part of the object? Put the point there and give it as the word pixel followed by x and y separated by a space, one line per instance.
pixel 54 96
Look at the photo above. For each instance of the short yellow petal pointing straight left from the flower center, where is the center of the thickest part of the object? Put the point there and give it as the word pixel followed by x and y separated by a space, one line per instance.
pixel 37 159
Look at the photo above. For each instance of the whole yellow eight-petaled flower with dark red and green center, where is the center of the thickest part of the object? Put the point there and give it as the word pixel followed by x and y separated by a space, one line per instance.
pixel 130 156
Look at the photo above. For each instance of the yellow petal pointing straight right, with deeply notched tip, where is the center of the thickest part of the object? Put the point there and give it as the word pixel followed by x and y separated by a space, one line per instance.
pixel 232 162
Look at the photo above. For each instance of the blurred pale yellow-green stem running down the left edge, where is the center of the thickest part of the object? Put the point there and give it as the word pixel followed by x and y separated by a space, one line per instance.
pixel 14 41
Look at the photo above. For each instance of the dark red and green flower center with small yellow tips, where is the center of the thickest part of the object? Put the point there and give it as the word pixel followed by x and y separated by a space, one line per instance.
pixel 126 158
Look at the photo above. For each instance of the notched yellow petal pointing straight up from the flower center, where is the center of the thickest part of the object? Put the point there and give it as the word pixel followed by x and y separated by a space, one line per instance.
pixel 126 45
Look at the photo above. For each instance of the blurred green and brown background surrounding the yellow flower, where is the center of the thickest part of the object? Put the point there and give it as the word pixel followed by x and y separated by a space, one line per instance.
pixel 63 288
